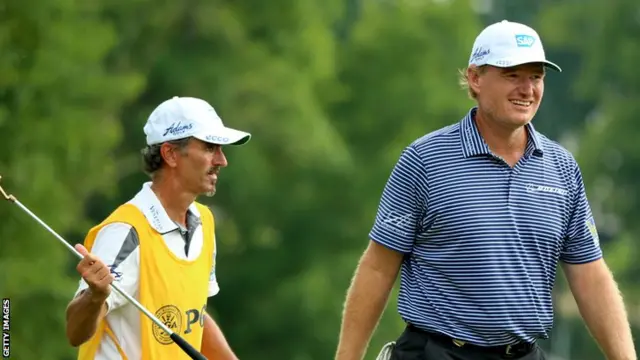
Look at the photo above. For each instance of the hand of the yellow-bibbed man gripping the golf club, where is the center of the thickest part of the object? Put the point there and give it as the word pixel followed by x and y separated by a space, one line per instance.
pixel 95 273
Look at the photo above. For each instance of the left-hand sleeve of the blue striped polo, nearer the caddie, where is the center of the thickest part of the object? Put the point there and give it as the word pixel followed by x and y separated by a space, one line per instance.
pixel 403 203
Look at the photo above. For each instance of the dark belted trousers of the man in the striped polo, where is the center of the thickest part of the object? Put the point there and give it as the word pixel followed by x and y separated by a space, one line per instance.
pixel 415 344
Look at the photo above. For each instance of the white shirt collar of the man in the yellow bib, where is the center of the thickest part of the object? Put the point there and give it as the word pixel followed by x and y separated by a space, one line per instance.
pixel 147 201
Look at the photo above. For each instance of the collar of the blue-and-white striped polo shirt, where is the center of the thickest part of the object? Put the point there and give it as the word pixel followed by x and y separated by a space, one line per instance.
pixel 473 144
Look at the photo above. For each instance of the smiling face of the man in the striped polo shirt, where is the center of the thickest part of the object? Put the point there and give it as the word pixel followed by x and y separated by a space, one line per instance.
pixel 510 96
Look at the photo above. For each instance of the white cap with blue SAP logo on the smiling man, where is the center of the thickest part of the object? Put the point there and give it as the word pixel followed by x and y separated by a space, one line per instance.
pixel 507 44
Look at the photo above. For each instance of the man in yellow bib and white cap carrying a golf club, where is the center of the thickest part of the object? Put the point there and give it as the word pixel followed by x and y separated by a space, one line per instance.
pixel 159 247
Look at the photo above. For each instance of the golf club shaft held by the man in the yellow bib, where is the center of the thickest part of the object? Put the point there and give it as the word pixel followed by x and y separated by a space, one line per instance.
pixel 184 345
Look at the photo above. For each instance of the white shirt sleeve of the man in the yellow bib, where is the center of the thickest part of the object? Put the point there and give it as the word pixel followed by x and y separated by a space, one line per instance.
pixel 117 246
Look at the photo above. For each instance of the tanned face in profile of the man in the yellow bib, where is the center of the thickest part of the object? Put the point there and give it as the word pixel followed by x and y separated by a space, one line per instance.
pixel 199 165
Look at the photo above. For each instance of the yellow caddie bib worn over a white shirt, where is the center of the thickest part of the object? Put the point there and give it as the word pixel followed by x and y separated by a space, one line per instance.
pixel 173 289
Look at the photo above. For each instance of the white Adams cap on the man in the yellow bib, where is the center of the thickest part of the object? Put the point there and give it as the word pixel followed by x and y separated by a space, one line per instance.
pixel 182 117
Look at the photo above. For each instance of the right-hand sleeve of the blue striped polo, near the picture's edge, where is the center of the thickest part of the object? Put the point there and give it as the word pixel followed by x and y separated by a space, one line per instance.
pixel 581 244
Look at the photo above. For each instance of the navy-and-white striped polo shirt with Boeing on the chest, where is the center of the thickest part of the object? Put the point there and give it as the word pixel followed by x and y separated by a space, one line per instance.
pixel 481 239
